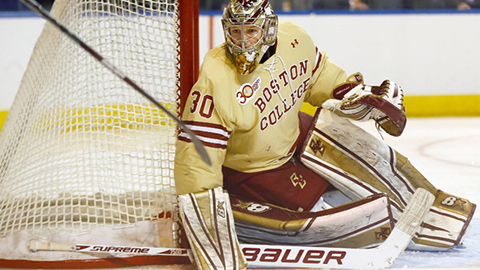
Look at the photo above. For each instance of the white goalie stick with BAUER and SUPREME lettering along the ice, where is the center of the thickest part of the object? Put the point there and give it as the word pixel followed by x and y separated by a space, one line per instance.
pixel 380 257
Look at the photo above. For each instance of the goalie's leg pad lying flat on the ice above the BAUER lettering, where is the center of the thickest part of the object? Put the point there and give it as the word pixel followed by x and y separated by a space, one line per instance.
pixel 363 223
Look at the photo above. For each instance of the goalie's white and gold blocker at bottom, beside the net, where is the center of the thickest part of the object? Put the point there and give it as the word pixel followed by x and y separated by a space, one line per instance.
pixel 208 222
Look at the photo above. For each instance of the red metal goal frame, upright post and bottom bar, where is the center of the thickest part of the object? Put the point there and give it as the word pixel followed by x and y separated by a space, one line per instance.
pixel 188 59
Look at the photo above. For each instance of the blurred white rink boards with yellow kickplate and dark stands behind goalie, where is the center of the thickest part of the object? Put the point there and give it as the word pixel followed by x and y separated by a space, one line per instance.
pixel 429 47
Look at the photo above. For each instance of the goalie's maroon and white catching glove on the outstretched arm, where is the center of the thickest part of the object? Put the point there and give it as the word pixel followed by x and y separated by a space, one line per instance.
pixel 357 101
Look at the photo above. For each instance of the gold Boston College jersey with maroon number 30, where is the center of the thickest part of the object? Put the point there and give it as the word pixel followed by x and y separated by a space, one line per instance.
pixel 250 123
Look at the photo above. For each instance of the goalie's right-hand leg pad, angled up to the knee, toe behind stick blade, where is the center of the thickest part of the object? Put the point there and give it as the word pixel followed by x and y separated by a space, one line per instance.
pixel 360 165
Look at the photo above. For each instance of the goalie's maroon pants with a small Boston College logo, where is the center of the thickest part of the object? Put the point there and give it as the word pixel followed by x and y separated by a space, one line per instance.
pixel 292 185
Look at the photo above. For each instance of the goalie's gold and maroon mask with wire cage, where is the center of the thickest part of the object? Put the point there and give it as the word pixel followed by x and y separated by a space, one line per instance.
pixel 250 28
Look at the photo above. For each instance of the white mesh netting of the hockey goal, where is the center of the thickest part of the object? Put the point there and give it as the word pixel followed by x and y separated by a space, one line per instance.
pixel 83 157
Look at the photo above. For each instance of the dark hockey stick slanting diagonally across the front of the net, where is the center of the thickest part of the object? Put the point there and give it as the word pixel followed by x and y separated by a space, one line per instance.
pixel 37 8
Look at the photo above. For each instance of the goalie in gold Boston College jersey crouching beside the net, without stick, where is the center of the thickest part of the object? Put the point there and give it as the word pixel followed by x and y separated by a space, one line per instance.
pixel 245 107
